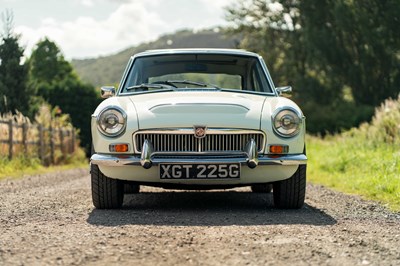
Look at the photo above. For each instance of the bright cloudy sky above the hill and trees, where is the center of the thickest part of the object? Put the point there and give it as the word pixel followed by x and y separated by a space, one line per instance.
pixel 93 28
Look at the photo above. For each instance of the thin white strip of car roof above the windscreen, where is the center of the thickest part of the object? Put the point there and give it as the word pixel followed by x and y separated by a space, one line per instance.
pixel 238 52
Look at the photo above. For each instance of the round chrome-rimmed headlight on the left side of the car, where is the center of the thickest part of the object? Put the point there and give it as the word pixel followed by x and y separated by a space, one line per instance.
pixel 111 121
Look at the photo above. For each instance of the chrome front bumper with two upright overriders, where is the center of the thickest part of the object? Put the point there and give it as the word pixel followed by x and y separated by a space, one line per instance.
pixel 149 158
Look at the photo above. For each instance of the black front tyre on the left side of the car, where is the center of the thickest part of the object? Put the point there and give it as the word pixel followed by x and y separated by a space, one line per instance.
pixel 107 193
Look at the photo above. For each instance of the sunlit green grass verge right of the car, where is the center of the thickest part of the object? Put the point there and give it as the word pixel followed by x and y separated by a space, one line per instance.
pixel 353 165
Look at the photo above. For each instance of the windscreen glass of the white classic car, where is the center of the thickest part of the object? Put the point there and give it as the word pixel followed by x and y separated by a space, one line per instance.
pixel 214 70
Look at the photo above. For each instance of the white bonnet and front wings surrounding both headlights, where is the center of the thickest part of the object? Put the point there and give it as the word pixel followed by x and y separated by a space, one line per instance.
pixel 186 109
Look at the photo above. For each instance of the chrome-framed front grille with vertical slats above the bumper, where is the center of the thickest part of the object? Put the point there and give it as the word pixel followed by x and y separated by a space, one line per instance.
pixel 183 141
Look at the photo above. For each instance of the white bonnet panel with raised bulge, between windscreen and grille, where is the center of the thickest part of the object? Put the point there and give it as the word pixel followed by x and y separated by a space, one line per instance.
pixel 185 109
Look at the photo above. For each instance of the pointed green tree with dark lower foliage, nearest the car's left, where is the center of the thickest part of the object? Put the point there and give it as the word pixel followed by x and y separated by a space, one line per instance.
pixel 55 81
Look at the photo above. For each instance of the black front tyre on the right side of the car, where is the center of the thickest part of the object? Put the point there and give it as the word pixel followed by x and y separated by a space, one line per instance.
pixel 290 193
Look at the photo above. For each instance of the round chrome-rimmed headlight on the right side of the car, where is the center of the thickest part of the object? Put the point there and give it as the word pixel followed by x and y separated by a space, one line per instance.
pixel 286 122
